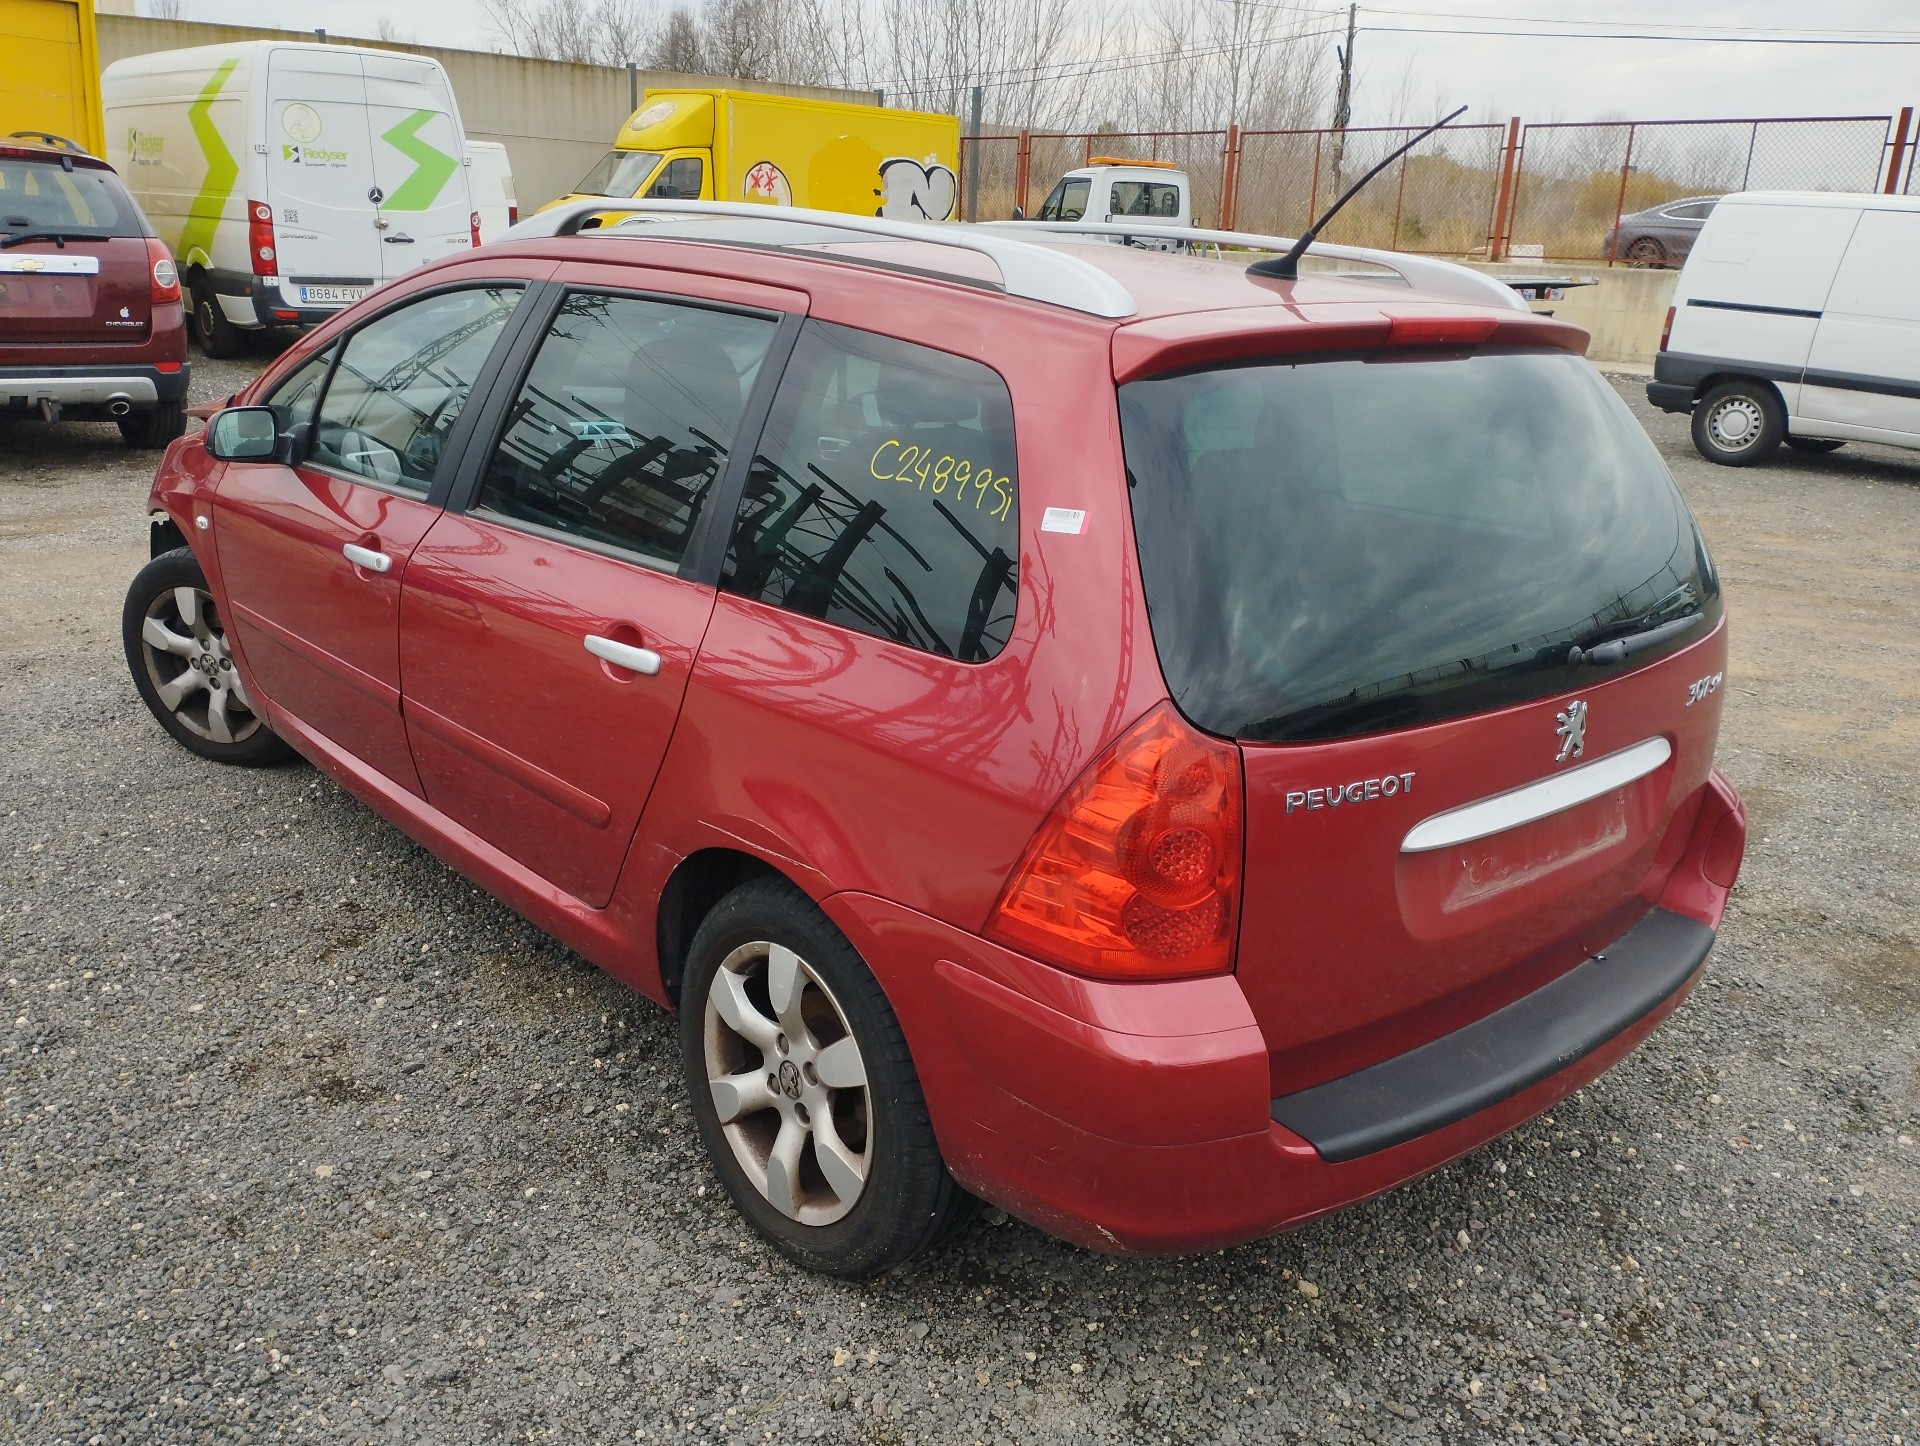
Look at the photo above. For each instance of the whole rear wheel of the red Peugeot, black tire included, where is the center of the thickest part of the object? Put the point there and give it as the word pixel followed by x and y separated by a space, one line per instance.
pixel 867 1188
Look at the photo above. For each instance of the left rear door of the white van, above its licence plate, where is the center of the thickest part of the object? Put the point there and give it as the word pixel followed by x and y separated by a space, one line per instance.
pixel 320 170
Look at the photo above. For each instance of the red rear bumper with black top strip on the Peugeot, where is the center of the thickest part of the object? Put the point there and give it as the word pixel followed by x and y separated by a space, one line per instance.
pixel 1138 1117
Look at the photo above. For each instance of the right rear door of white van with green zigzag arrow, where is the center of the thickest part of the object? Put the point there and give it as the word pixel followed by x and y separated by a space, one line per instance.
pixel 425 199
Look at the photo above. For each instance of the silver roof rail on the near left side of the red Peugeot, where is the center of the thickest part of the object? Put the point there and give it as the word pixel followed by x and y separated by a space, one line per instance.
pixel 1038 274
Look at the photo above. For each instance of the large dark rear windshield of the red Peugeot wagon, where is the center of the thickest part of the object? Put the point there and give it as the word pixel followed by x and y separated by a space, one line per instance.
pixel 1366 542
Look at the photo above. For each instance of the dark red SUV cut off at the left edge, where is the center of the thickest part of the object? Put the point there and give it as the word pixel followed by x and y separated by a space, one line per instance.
pixel 91 322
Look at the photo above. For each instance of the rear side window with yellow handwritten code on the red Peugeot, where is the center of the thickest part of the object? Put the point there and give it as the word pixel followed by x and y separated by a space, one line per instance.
pixel 884 496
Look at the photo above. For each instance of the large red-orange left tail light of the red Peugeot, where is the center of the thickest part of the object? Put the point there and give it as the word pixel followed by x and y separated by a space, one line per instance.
pixel 1136 875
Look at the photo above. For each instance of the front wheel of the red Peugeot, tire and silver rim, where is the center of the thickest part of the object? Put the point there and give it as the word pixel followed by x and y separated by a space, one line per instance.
pixel 183 669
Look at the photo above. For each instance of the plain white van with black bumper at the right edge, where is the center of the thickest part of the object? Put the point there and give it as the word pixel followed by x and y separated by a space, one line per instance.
pixel 1796 320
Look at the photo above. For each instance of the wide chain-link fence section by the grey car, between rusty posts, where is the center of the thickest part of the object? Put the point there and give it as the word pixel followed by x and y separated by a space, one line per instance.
pixel 1593 193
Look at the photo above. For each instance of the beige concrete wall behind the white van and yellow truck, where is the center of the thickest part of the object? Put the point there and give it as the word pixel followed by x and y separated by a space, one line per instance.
pixel 556 118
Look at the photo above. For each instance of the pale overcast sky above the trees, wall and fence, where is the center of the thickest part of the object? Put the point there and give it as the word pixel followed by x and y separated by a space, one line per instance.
pixel 1531 78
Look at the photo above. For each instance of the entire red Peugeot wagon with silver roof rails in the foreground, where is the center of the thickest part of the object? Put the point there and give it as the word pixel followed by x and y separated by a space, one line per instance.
pixel 1155 746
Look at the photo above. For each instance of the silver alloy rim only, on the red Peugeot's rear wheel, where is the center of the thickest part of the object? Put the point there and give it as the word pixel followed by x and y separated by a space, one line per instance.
pixel 788 1084
